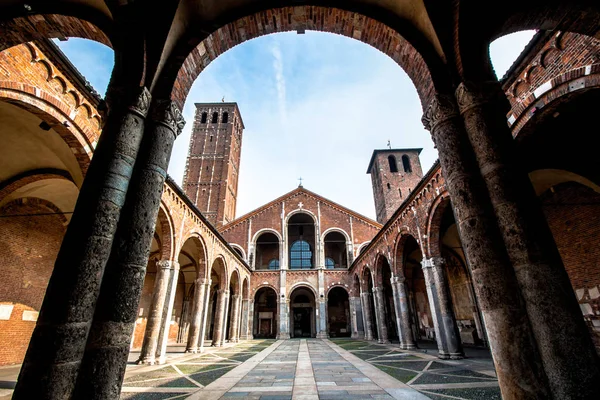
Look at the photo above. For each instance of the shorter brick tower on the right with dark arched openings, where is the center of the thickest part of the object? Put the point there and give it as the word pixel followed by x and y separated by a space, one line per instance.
pixel 394 174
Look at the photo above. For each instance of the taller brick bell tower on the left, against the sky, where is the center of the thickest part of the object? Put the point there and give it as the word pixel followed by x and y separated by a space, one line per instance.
pixel 213 163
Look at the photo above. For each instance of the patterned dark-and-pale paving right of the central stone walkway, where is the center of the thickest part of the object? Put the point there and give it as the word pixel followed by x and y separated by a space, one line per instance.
pixel 437 379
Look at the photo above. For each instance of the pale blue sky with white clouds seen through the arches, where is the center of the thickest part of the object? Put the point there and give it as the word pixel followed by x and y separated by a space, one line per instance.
pixel 314 106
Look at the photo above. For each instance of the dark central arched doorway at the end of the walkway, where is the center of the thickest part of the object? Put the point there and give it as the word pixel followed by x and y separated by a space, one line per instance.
pixel 302 316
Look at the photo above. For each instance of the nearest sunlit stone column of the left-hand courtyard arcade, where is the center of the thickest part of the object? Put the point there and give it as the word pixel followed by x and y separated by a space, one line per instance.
pixel 159 296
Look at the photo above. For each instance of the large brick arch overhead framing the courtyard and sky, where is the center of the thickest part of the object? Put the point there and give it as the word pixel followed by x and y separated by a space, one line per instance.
pixel 182 72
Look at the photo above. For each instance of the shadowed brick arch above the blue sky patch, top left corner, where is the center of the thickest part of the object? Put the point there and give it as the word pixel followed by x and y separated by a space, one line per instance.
pixel 27 28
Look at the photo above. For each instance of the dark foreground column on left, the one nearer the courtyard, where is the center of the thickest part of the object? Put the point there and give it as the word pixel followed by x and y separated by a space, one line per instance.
pixel 116 311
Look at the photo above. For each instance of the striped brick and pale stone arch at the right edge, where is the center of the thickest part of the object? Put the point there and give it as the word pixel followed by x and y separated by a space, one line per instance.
pixel 587 77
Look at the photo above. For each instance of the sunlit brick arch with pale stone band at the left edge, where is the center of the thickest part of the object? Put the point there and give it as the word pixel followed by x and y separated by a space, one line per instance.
pixel 53 111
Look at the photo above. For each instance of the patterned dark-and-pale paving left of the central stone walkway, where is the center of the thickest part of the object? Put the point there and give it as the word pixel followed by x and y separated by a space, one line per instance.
pixel 187 374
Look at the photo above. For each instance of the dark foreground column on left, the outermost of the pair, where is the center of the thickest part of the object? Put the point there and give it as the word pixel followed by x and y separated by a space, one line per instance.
pixel 57 344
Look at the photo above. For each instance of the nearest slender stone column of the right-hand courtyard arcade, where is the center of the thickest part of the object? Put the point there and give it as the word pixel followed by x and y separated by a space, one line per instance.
pixel 449 329
